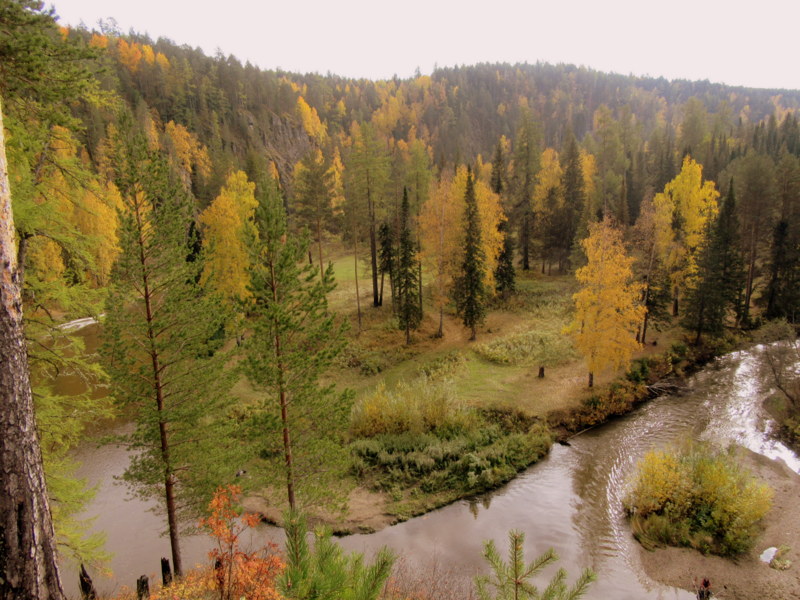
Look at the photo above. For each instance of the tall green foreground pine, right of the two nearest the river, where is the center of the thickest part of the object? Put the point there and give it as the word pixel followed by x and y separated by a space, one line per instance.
pixel 295 339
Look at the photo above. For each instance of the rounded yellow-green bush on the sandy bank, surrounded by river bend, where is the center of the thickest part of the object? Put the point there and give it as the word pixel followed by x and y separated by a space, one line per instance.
pixel 694 496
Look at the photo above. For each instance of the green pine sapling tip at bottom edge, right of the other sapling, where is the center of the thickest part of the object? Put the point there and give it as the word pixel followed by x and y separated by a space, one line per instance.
pixel 512 580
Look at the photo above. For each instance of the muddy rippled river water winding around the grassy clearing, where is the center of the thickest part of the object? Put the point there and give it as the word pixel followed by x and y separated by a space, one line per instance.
pixel 570 501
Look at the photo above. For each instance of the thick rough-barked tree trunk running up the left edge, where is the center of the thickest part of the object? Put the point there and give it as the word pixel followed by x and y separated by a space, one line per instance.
pixel 28 564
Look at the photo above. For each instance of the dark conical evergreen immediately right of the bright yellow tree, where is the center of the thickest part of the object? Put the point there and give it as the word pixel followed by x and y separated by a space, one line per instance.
pixel 717 287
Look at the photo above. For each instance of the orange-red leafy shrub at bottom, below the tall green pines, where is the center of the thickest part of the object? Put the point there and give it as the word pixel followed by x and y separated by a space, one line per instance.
pixel 236 573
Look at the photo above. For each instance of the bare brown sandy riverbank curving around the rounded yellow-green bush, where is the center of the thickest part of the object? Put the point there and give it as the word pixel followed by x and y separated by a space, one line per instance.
pixel 745 577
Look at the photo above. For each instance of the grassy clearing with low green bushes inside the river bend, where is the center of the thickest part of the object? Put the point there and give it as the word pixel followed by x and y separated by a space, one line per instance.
pixel 484 389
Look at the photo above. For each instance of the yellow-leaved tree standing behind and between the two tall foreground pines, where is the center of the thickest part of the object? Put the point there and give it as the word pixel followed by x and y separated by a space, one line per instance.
pixel 227 225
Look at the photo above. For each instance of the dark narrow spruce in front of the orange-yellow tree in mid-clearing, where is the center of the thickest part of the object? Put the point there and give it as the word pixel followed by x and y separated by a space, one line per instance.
pixel 470 288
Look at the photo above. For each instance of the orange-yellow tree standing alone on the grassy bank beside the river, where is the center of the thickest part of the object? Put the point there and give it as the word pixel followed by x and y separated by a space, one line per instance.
pixel 607 309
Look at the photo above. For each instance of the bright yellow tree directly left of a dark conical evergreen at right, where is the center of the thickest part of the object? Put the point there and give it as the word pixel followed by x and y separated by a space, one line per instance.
pixel 682 212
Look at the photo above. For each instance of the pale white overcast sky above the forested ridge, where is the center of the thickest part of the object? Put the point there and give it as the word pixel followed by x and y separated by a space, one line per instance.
pixel 736 42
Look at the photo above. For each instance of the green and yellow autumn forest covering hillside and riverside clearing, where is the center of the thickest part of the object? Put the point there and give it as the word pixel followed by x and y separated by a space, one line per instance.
pixel 294 271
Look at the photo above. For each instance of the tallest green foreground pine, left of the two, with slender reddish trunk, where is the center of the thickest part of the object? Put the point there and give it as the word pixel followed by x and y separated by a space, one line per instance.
pixel 160 346
